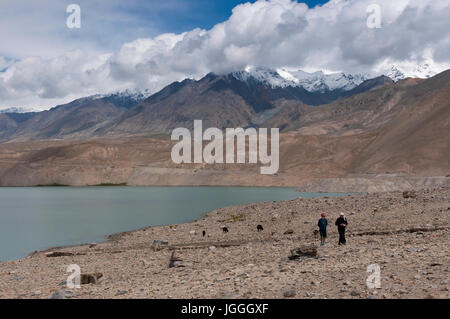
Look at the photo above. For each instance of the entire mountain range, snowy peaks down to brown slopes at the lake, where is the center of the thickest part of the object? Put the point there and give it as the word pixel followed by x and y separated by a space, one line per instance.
pixel 361 127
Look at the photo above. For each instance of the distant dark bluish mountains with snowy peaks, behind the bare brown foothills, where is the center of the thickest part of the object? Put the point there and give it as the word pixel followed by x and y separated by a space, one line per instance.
pixel 244 98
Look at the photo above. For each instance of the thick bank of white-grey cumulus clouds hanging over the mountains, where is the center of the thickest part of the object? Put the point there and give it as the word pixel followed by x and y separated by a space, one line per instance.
pixel 273 33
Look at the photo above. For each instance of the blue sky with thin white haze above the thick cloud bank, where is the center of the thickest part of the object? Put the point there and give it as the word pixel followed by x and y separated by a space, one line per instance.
pixel 38 27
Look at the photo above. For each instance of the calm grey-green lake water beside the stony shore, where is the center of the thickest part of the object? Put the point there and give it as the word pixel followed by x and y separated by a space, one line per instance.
pixel 35 218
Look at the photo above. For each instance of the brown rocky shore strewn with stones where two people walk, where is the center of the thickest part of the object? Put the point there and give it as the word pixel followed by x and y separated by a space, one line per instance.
pixel 406 235
